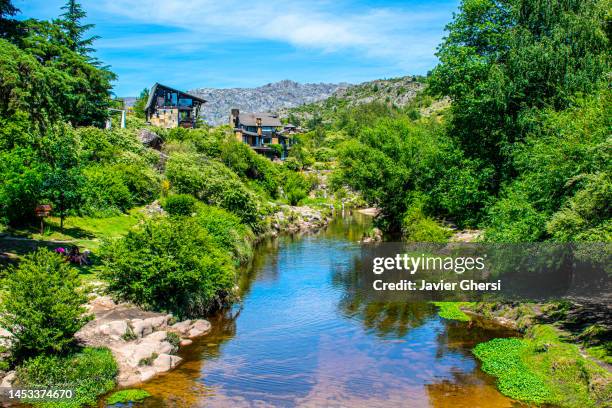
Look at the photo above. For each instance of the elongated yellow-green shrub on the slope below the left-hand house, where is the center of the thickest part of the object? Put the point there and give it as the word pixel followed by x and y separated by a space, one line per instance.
pixel 214 183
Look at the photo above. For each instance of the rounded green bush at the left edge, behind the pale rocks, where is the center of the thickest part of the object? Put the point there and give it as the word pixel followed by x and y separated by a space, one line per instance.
pixel 42 305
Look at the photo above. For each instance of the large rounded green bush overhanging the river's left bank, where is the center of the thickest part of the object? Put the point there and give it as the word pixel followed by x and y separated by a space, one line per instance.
pixel 170 265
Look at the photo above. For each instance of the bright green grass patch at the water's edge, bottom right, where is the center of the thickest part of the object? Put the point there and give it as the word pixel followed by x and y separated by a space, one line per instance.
pixel 541 368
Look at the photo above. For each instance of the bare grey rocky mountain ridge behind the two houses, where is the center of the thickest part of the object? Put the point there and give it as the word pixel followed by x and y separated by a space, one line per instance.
pixel 271 97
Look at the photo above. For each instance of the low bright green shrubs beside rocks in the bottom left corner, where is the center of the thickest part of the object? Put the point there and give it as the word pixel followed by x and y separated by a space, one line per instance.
pixel 90 372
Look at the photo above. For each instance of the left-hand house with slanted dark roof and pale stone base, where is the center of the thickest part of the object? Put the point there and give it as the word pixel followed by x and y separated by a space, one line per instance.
pixel 169 108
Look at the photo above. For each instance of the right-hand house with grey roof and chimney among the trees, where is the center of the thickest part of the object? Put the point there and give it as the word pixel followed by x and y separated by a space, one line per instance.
pixel 260 130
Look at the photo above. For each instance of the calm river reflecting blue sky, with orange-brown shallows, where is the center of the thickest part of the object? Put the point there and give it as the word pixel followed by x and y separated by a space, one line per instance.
pixel 301 337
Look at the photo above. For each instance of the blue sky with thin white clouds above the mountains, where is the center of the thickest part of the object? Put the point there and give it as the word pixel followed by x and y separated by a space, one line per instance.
pixel 228 43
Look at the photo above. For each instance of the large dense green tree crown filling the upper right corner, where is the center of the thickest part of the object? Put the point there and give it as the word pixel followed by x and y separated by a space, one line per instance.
pixel 501 60
